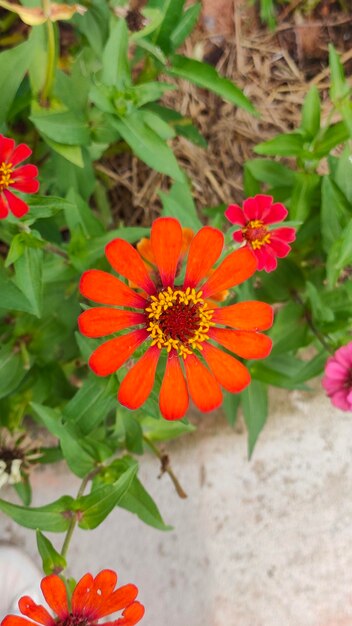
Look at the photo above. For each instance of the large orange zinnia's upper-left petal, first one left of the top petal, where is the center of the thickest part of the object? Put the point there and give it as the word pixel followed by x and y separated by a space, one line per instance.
pixel 125 260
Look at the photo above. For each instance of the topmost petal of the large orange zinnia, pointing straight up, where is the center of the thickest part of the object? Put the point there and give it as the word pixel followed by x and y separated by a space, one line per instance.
pixel 166 238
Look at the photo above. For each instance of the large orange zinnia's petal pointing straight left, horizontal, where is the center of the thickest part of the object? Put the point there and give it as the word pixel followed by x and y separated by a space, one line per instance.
pixel 102 321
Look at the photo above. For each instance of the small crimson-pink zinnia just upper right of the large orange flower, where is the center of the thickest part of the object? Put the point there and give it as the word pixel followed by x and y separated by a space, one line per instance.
pixel 255 216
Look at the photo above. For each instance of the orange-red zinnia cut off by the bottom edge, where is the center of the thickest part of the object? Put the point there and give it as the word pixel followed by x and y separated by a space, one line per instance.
pixel 92 599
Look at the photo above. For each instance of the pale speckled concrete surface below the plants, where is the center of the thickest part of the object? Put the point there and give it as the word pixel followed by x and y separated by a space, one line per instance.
pixel 265 543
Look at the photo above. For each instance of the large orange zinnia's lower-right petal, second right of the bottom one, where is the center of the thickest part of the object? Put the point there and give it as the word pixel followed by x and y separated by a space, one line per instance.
pixel 228 371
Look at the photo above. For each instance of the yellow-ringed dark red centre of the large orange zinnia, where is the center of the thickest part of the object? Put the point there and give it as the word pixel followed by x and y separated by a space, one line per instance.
pixel 179 319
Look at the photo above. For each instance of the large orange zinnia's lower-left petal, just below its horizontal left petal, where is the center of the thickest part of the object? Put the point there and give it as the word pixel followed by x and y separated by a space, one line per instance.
pixel 109 357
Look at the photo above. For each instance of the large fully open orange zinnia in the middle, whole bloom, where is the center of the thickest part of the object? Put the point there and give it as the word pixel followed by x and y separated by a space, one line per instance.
pixel 180 319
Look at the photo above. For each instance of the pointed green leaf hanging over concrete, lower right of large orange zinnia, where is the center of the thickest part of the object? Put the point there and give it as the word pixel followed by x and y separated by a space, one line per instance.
pixel 254 401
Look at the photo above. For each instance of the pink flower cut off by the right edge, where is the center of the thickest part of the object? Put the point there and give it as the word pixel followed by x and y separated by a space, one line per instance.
pixel 337 381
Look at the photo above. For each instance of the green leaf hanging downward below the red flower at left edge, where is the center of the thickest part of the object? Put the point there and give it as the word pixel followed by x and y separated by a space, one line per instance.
pixel 29 270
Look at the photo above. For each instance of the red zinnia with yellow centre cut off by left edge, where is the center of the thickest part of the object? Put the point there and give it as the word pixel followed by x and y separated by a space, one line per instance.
pixel 20 178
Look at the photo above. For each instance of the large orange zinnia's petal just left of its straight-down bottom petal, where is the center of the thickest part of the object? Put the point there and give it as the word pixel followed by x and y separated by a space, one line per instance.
pixel 138 382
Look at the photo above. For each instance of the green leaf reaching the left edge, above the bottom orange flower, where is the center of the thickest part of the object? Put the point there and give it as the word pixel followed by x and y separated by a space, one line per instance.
pixel 54 517
